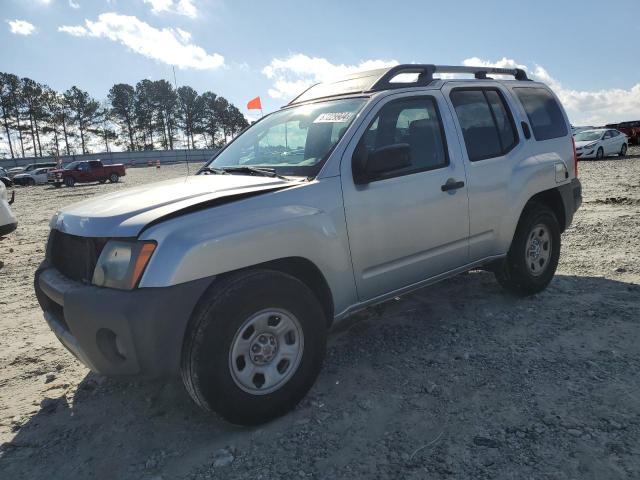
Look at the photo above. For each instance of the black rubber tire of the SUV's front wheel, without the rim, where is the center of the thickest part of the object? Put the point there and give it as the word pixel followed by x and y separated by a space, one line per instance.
pixel 216 323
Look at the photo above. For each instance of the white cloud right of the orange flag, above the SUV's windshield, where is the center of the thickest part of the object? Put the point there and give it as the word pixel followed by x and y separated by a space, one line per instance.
pixel 292 75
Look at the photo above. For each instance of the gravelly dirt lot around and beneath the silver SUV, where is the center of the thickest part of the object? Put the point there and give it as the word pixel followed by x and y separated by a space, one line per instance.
pixel 458 380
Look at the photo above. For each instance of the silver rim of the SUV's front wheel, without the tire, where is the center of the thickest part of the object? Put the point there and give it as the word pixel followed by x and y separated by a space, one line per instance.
pixel 266 351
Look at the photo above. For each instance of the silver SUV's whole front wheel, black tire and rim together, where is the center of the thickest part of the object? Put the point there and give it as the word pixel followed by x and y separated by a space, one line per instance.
pixel 254 347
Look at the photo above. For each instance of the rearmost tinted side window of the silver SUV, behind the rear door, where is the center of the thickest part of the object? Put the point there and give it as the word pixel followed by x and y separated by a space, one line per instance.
pixel 543 111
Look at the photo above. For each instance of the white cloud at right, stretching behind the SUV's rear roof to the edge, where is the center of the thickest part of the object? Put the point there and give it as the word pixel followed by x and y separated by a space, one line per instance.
pixel 584 107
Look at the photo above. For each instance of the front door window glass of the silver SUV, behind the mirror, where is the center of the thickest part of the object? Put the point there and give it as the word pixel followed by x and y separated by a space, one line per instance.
pixel 414 121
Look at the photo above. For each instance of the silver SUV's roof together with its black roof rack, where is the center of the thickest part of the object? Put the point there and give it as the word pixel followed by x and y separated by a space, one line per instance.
pixel 382 79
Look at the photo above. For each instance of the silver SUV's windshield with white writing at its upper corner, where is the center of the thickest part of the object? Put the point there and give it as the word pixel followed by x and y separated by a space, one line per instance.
pixel 295 141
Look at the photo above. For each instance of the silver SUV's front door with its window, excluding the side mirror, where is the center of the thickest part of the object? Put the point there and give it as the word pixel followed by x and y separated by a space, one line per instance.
pixel 413 223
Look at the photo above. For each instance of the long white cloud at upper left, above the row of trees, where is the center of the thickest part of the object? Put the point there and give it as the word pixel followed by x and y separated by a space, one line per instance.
pixel 167 45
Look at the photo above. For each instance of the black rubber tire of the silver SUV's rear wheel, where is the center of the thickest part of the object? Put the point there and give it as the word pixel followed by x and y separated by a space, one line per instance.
pixel 515 272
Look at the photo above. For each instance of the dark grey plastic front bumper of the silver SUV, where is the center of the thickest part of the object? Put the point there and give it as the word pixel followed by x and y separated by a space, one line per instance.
pixel 119 332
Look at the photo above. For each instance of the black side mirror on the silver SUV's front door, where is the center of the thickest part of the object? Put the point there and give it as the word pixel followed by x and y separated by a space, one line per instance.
pixel 382 160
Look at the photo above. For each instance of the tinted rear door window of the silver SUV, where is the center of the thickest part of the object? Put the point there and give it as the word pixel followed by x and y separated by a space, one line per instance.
pixel 486 124
